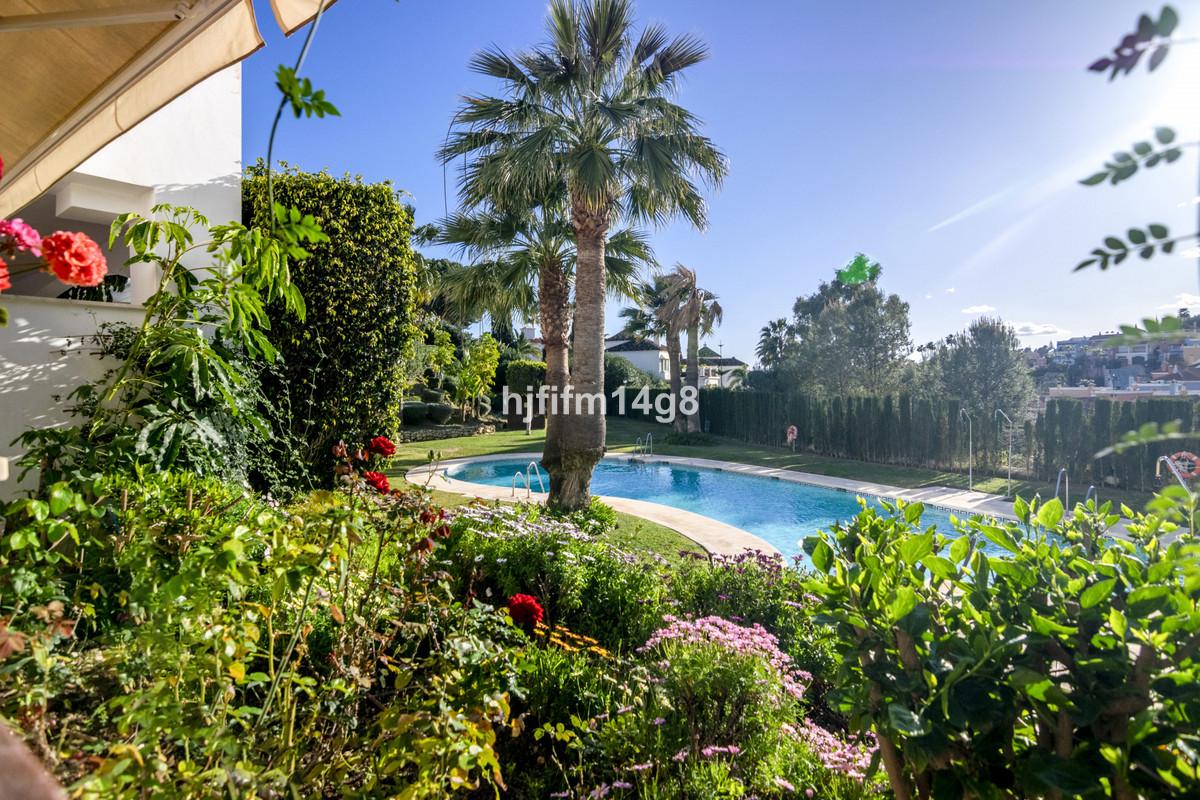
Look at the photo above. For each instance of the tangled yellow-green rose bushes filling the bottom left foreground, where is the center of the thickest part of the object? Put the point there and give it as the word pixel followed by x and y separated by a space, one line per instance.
pixel 152 625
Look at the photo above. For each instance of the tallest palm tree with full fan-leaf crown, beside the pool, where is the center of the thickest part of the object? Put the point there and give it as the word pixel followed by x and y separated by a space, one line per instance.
pixel 591 111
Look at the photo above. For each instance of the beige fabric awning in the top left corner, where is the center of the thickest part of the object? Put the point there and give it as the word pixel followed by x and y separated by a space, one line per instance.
pixel 79 74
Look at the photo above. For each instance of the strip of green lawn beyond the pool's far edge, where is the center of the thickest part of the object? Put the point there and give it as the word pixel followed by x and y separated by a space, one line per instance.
pixel 623 434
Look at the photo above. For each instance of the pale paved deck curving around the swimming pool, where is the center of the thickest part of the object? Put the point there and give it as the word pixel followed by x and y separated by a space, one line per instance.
pixel 713 536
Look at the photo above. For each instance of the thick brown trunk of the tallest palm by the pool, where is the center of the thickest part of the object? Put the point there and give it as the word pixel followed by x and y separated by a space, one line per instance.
pixel 583 441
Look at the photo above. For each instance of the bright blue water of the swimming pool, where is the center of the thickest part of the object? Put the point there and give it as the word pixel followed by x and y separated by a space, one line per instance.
pixel 782 513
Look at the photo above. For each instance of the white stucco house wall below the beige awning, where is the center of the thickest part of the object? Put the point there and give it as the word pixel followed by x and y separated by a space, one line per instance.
pixel 189 154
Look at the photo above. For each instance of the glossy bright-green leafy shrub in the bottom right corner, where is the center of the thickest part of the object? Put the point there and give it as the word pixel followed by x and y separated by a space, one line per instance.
pixel 1064 667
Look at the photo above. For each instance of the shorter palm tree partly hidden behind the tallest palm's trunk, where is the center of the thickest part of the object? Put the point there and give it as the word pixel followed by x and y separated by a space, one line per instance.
pixel 535 255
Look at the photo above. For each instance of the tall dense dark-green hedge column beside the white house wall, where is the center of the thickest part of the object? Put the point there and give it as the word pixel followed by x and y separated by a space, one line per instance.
pixel 344 363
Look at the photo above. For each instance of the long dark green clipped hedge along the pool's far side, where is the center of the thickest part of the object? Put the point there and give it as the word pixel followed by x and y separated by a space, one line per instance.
pixel 903 430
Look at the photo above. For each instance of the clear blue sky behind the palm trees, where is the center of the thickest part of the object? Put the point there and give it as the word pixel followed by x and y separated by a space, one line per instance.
pixel 941 139
